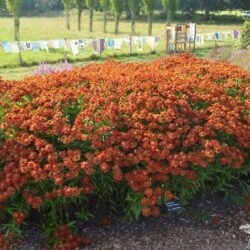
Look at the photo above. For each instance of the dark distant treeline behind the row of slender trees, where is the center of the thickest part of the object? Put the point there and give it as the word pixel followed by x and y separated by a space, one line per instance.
pixel 34 7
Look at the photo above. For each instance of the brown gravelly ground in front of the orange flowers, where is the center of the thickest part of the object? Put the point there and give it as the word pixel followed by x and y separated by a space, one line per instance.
pixel 191 230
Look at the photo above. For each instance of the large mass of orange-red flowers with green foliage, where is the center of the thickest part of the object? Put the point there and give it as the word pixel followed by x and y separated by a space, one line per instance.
pixel 118 136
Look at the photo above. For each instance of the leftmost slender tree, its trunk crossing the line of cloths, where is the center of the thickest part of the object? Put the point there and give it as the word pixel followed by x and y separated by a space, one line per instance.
pixel 14 7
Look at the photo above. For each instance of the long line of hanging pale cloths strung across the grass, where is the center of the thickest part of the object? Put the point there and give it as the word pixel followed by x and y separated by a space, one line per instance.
pixel 78 46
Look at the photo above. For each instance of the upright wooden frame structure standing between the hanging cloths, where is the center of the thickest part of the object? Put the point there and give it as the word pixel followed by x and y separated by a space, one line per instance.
pixel 180 38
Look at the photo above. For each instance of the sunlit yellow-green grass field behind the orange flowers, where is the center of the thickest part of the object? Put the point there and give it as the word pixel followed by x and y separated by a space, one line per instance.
pixel 46 28
